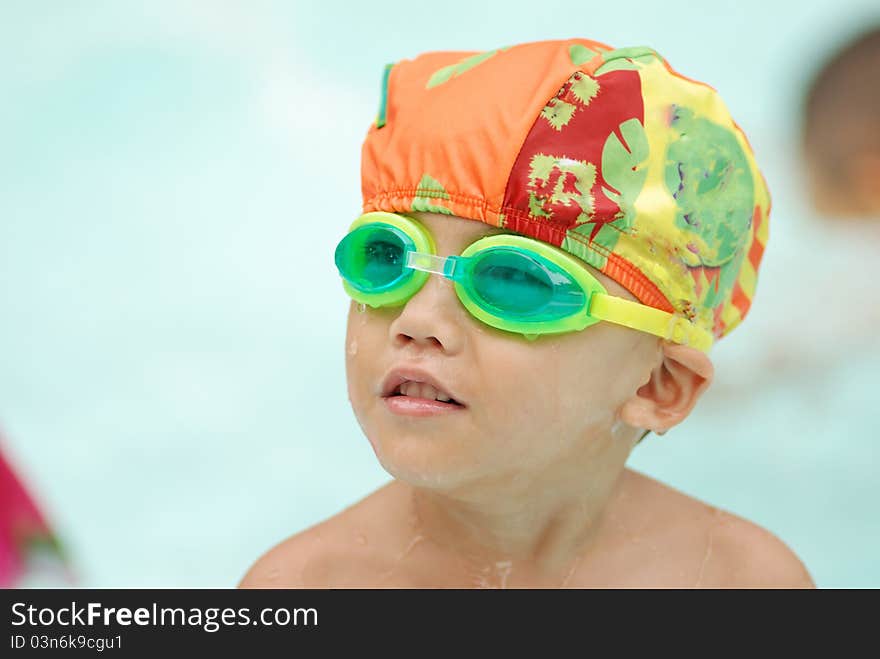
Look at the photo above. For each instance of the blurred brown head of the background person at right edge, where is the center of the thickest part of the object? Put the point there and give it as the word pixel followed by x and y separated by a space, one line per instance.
pixel 841 130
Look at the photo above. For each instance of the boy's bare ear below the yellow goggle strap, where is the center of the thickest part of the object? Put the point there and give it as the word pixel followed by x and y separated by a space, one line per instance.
pixel 672 390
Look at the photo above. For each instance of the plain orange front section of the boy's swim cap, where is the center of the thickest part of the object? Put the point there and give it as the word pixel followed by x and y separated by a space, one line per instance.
pixel 454 124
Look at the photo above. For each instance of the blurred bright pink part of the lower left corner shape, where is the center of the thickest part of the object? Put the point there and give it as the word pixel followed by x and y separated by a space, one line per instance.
pixel 23 529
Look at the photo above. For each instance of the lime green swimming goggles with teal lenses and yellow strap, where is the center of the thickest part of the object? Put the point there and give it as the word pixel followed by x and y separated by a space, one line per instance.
pixel 508 281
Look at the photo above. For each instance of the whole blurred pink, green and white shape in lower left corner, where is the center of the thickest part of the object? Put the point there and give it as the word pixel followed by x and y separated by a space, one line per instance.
pixel 30 553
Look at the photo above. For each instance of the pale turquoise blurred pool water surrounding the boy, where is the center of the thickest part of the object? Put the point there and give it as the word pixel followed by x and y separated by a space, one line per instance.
pixel 173 179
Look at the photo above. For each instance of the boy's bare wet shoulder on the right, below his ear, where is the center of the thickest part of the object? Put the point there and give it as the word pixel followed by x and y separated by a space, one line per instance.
pixel 724 549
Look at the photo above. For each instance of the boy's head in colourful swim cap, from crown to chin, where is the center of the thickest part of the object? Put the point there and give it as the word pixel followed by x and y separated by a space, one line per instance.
pixel 606 155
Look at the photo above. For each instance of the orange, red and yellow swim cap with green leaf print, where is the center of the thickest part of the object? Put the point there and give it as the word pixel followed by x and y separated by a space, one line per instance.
pixel 609 154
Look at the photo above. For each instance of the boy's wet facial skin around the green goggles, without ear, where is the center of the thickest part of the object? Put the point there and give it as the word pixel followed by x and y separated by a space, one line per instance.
pixel 529 407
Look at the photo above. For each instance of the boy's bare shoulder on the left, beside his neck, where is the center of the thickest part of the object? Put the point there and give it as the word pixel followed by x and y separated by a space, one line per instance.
pixel 341 548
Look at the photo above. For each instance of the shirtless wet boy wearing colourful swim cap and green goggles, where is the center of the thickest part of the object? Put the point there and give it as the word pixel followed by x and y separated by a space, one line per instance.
pixel 553 235
